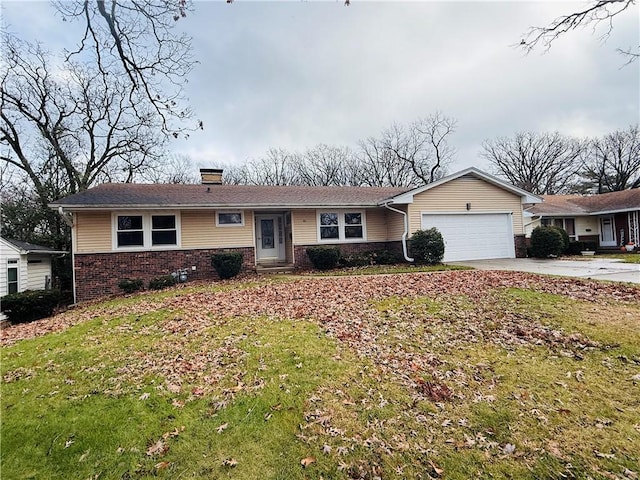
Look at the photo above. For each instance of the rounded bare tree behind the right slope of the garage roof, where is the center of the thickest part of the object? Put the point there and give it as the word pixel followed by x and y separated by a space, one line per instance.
pixel 543 164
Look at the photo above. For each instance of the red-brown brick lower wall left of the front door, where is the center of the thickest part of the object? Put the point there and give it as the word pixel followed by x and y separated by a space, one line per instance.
pixel 98 274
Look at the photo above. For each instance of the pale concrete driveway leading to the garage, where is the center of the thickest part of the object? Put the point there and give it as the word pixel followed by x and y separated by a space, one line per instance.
pixel 596 269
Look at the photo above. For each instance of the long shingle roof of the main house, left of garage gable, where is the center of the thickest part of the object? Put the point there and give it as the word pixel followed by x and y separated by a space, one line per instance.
pixel 129 195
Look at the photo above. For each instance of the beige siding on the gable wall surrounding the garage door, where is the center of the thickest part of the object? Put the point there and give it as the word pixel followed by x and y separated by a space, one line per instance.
pixel 453 196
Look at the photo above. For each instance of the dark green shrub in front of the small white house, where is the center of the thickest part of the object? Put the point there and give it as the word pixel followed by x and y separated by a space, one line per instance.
pixel 30 305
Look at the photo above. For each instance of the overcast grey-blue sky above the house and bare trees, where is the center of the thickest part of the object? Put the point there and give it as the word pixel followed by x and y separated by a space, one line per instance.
pixel 297 74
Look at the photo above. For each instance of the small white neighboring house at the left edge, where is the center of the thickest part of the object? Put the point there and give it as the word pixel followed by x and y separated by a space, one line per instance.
pixel 24 266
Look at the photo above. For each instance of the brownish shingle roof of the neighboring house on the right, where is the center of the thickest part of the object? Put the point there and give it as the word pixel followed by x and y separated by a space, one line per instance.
pixel 625 200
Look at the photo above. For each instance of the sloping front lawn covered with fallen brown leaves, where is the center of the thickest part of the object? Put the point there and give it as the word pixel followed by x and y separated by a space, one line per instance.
pixel 457 375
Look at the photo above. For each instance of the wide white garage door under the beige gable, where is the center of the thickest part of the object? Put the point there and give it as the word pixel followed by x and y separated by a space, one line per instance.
pixel 473 236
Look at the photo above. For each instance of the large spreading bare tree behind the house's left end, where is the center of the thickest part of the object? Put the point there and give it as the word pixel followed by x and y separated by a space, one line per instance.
pixel 91 127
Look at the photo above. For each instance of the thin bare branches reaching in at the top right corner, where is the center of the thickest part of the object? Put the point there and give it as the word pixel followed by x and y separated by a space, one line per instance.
pixel 596 13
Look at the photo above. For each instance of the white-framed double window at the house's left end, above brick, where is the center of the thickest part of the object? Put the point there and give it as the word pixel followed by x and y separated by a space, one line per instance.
pixel 145 230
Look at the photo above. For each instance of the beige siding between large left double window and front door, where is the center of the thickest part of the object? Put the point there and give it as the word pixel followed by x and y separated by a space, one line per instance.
pixel 199 230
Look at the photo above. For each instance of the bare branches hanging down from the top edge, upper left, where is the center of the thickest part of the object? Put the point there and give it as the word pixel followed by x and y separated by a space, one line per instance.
pixel 138 41
